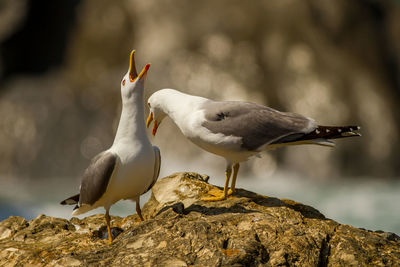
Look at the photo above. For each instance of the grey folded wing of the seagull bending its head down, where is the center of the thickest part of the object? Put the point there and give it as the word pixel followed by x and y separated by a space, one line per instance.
pixel 256 124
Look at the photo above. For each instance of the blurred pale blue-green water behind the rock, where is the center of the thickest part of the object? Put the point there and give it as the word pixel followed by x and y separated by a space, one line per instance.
pixel 362 202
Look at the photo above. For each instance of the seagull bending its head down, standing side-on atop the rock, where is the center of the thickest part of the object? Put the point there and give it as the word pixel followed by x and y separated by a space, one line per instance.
pixel 237 130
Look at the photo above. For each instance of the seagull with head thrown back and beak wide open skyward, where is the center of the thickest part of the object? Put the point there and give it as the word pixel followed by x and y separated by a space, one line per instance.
pixel 130 167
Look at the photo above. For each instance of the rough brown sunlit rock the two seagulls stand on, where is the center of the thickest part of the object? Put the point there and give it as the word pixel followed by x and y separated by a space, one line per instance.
pixel 180 229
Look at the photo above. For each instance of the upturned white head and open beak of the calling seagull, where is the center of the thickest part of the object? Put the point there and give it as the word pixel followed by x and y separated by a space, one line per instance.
pixel 132 82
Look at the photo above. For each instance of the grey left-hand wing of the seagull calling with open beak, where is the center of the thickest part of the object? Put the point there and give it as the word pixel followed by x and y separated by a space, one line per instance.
pixel 96 177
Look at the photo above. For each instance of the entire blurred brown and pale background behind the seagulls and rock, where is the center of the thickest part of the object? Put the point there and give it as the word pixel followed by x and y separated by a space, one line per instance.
pixel 61 63
